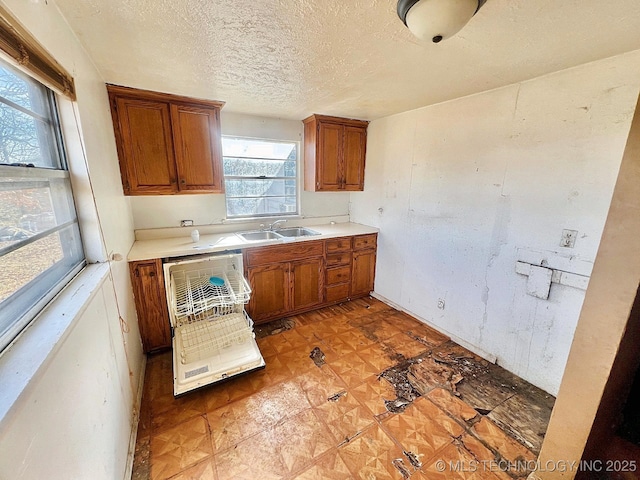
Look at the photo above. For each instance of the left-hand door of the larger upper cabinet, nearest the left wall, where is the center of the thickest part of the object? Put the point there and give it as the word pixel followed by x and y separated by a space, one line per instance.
pixel 145 146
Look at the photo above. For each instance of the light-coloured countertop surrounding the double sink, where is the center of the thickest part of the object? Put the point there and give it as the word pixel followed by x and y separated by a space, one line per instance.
pixel 211 243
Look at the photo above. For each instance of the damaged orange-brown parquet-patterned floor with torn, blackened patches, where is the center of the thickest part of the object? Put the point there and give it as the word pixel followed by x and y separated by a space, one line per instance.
pixel 357 390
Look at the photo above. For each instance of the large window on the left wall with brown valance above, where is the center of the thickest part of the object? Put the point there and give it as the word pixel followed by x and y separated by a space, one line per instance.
pixel 40 245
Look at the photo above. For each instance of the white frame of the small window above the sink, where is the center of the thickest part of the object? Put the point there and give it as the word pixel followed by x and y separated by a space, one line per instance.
pixel 296 178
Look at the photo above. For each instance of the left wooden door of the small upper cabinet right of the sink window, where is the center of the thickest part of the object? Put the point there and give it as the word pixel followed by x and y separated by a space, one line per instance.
pixel 329 176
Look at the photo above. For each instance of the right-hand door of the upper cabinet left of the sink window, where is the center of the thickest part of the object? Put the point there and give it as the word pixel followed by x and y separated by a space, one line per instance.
pixel 196 135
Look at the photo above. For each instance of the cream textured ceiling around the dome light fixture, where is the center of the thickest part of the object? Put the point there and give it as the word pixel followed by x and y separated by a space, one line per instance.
pixel 290 58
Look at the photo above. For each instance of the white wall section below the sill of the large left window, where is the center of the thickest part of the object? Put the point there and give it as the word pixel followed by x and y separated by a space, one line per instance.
pixel 74 419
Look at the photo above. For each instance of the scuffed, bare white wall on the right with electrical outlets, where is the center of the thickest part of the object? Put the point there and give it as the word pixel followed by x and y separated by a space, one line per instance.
pixel 458 188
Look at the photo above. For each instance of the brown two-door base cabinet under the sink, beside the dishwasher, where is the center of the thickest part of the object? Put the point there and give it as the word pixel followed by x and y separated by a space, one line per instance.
pixel 284 279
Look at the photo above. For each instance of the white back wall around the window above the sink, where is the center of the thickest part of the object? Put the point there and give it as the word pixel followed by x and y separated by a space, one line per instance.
pixel 167 211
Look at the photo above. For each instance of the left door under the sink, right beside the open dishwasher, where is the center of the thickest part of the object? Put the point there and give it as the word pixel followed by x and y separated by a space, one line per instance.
pixel 270 291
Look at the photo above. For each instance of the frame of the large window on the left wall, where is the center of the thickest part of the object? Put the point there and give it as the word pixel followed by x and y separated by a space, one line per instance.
pixel 55 278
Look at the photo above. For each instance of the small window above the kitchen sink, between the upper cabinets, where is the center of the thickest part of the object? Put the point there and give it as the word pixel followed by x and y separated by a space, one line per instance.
pixel 260 177
